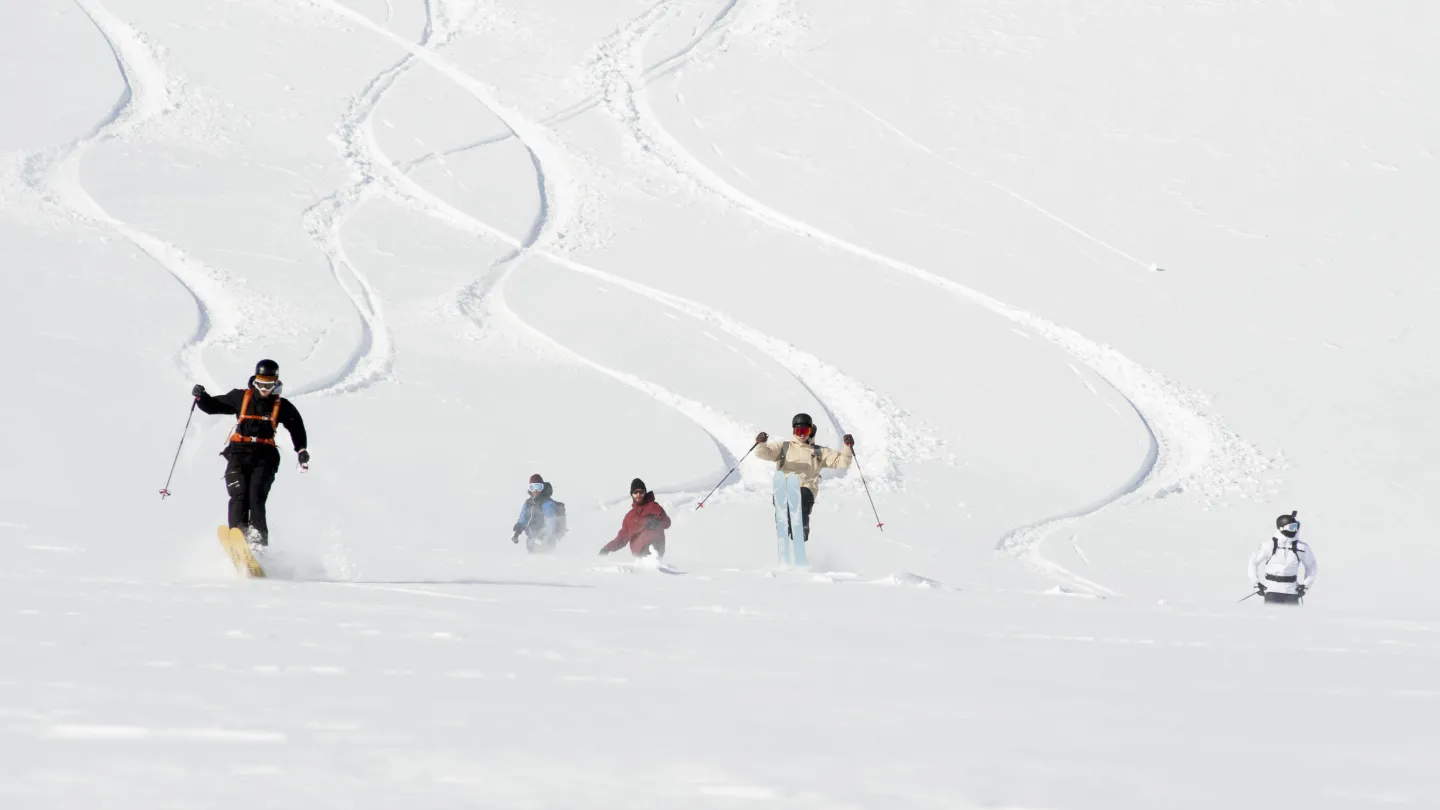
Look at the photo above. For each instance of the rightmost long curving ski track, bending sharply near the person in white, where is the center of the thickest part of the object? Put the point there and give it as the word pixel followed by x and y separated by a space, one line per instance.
pixel 1192 450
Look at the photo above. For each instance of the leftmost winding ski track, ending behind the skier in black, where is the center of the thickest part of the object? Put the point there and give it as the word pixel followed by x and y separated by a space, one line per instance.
pixel 149 94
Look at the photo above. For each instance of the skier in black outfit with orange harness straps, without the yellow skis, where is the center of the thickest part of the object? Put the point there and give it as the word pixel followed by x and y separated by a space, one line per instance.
pixel 254 459
